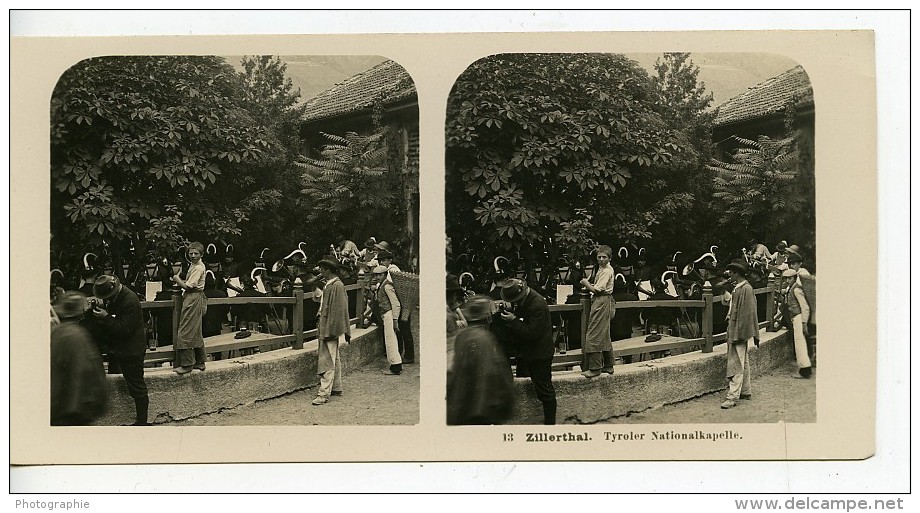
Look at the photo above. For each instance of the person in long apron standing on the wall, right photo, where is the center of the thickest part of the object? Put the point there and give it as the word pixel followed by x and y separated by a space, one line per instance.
pixel 598 349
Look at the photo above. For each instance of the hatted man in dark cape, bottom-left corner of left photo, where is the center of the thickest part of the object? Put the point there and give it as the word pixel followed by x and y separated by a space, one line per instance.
pixel 79 392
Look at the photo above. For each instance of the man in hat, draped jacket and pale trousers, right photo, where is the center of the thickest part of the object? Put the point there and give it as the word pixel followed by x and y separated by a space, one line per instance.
pixel 742 328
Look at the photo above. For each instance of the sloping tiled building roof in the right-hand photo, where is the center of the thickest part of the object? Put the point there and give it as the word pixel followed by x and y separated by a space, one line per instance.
pixel 768 98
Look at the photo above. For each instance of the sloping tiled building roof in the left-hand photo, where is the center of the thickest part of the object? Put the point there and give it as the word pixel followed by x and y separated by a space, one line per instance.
pixel 386 81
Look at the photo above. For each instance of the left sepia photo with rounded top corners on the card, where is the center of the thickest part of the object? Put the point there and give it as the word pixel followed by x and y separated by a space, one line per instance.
pixel 234 242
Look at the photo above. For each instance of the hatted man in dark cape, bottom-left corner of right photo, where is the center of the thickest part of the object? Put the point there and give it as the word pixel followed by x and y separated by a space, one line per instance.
pixel 480 388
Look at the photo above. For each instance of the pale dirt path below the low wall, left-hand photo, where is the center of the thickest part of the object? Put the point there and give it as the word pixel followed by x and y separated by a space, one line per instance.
pixel 370 399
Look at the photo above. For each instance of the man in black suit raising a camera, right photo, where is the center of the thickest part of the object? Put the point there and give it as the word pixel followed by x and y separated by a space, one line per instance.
pixel 525 317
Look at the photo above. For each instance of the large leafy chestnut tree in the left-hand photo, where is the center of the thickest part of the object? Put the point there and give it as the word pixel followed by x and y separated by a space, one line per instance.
pixel 160 149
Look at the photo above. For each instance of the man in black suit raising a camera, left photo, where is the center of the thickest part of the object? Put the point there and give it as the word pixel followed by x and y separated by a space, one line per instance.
pixel 121 323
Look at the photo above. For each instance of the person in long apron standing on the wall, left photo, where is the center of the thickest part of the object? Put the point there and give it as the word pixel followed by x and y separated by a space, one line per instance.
pixel 190 344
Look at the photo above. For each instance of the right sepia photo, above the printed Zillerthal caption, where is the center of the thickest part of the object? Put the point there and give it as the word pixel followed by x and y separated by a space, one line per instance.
pixel 631 240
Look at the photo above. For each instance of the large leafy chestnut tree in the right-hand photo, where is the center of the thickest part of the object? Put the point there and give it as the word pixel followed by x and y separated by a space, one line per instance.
pixel 534 138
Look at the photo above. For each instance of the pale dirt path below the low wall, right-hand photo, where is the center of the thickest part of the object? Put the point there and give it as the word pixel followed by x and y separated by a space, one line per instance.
pixel 776 397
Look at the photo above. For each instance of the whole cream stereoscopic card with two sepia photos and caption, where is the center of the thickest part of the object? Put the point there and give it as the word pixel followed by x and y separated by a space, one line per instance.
pixel 436 248
